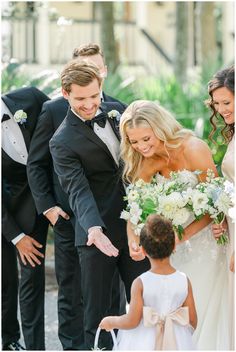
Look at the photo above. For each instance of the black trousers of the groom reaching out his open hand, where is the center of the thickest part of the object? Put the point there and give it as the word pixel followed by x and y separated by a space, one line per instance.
pixel 97 272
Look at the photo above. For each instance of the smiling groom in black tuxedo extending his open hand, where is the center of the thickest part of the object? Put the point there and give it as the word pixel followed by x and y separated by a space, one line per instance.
pixel 88 167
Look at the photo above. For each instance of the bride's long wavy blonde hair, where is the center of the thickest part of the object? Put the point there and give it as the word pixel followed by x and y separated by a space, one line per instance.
pixel 144 113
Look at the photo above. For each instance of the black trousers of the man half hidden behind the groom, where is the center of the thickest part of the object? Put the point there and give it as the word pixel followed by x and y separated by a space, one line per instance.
pixel 70 304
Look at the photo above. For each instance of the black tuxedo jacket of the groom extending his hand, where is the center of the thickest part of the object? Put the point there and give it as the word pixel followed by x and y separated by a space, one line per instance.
pixel 90 176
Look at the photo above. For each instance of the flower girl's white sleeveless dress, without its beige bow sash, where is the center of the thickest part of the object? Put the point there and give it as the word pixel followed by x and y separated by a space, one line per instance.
pixel 164 294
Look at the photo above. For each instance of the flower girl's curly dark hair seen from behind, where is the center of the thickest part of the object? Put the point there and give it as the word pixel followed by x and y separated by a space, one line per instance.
pixel 157 237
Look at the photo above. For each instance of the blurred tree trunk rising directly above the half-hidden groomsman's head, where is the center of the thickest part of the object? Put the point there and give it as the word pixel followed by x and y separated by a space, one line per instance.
pixel 107 35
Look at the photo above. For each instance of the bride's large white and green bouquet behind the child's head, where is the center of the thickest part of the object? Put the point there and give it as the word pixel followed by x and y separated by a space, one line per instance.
pixel 166 197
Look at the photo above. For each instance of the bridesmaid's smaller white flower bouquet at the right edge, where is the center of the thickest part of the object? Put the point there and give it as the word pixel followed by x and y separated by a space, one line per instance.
pixel 214 197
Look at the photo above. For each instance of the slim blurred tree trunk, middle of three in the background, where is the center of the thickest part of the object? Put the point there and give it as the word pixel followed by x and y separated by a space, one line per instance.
pixel 181 52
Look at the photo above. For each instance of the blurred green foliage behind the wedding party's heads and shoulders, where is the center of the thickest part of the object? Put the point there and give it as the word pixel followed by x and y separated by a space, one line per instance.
pixel 186 101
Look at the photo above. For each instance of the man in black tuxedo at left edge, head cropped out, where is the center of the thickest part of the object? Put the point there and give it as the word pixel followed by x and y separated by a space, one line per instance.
pixel 21 226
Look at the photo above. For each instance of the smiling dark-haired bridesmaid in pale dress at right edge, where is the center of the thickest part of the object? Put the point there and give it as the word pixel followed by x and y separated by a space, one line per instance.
pixel 221 102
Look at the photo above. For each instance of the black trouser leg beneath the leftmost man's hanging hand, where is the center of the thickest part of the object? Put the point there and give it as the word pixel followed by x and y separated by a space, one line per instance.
pixel 31 293
